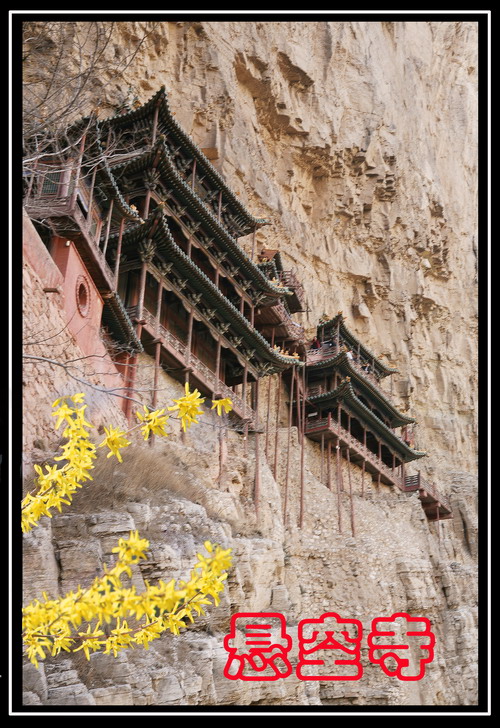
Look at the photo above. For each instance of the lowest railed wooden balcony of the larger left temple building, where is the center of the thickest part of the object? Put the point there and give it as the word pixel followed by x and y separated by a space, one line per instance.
pixel 180 360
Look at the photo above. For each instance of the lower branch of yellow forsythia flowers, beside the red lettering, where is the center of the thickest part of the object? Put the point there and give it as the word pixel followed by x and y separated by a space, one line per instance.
pixel 55 624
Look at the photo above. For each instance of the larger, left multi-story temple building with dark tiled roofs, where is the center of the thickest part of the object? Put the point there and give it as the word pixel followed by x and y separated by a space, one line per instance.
pixel 155 228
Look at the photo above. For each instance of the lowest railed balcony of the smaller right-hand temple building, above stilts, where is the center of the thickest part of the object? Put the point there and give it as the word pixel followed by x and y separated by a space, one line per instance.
pixel 327 428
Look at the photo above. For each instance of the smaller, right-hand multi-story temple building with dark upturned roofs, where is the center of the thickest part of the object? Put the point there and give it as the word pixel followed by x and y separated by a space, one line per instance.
pixel 346 406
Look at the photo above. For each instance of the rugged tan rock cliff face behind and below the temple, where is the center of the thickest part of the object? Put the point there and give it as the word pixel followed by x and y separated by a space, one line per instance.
pixel 357 140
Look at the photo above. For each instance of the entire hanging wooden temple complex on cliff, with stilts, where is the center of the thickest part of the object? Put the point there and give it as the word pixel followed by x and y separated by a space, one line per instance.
pixel 146 232
